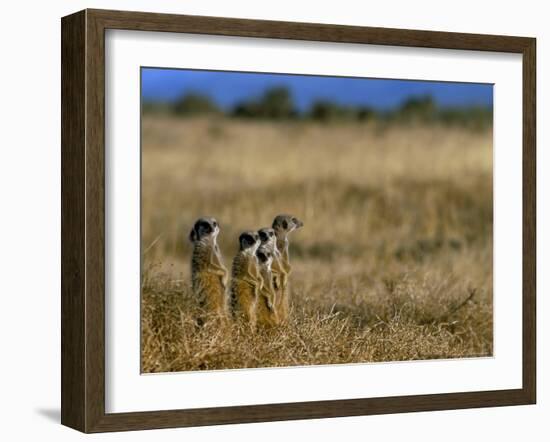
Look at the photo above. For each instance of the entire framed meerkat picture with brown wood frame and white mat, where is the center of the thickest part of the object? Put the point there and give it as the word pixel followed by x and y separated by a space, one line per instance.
pixel 269 220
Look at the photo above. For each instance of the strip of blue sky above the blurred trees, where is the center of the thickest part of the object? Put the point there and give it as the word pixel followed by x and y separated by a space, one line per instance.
pixel 228 88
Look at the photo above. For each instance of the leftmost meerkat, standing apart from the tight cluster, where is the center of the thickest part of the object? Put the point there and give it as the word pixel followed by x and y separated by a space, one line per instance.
pixel 208 273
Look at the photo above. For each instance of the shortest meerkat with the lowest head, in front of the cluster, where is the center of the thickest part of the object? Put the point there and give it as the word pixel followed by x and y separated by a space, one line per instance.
pixel 266 315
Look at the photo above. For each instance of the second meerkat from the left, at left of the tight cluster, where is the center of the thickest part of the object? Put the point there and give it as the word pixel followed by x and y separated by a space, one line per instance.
pixel 246 280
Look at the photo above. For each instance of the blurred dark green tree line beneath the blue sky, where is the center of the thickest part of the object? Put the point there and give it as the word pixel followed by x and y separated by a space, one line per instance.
pixel 277 104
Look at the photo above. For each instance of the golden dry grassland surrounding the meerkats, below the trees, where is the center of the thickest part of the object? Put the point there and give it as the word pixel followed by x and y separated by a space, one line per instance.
pixel 394 261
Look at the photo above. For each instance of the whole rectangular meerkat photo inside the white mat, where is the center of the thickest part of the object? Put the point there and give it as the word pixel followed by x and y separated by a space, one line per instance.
pixel 295 220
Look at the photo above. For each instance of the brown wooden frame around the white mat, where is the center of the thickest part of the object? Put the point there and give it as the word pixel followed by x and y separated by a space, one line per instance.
pixel 83 215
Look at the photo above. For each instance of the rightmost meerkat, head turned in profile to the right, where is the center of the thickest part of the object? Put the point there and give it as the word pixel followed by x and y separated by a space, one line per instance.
pixel 283 225
